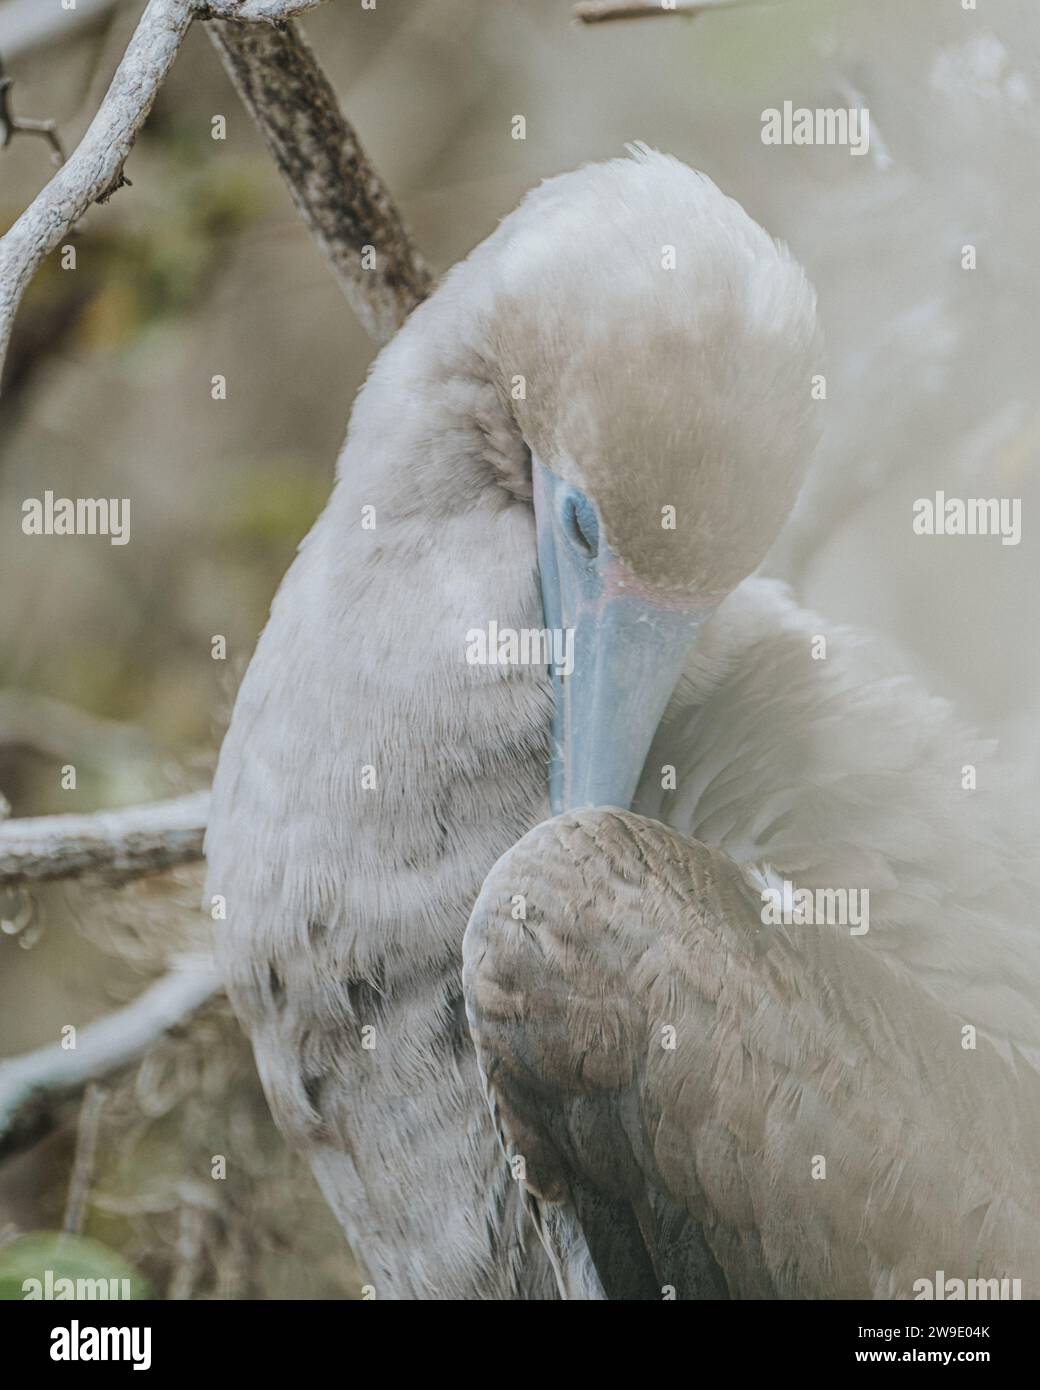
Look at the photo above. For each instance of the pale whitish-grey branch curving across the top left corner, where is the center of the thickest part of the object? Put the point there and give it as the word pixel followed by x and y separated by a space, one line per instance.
pixel 95 169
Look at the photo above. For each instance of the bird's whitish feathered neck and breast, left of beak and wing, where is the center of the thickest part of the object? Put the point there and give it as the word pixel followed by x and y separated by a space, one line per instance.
pixel 371 779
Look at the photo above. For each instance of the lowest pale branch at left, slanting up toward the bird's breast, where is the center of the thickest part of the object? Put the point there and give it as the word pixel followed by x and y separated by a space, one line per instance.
pixel 34 1086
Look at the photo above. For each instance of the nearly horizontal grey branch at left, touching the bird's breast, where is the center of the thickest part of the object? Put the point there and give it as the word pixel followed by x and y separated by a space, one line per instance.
pixel 116 844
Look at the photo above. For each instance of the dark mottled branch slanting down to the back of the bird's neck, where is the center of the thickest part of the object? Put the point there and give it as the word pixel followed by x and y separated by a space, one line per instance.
pixel 336 190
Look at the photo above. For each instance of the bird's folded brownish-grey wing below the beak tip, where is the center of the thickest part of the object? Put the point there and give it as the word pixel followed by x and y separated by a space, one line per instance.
pixel 721 1106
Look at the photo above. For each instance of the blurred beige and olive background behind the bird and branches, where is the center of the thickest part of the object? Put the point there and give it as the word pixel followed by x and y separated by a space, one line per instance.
pixel 202 268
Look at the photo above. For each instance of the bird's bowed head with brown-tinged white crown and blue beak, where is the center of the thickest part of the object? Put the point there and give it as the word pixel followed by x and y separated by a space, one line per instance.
pixel 658 350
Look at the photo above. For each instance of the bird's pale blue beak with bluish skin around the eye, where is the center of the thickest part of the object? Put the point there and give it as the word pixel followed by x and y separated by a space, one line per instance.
pixel 625 648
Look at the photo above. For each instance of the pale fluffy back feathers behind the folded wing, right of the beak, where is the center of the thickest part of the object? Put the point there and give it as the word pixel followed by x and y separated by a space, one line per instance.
pixel 796 754
